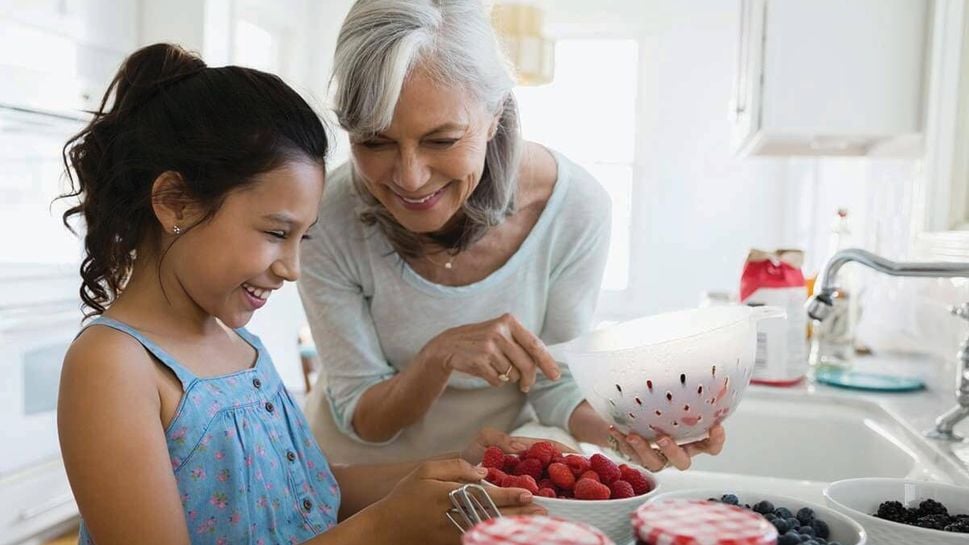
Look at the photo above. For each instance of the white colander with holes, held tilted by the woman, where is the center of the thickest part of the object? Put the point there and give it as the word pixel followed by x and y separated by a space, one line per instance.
pixel 675 374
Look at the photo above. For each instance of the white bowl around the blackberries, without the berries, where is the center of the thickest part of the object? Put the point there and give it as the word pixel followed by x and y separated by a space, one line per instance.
pixel 859 498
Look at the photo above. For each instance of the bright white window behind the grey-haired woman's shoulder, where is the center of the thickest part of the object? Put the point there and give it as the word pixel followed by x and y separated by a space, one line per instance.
pixel 588 113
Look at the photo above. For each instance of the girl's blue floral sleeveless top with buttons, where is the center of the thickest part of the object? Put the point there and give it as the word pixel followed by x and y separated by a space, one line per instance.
pixel 248 468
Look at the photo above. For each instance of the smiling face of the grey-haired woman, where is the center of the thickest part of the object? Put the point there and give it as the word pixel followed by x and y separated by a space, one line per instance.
pixel 426 164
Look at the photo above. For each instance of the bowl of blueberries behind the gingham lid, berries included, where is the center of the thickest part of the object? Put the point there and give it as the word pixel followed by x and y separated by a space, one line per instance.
pixel 798 522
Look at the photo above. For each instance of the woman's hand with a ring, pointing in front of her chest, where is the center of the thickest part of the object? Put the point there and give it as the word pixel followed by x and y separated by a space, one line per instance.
pixel 500 350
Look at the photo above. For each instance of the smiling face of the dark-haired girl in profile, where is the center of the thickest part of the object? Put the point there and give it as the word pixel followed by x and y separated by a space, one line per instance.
pixel 230 265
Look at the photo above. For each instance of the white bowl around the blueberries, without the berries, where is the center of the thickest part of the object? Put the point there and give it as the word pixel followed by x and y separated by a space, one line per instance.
pixel 843 529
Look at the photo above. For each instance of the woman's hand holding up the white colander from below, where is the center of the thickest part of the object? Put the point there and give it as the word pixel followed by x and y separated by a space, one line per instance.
pixel 669 453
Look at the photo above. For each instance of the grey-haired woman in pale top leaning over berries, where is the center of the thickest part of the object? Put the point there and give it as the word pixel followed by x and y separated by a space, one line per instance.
pixel 452 251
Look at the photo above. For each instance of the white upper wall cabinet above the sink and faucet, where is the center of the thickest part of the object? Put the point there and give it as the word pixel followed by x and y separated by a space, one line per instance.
pixel 829 77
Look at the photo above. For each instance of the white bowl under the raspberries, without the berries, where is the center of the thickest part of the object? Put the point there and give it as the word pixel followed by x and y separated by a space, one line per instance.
pixel 612 517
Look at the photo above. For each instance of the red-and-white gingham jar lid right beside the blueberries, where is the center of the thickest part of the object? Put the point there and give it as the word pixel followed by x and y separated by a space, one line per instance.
pixel 699 522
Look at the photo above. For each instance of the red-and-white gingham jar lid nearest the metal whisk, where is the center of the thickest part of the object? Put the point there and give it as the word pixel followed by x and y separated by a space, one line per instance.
pixel 529 530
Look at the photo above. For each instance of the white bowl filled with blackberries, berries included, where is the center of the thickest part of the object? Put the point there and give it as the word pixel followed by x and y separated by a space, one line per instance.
pixel 900 511
